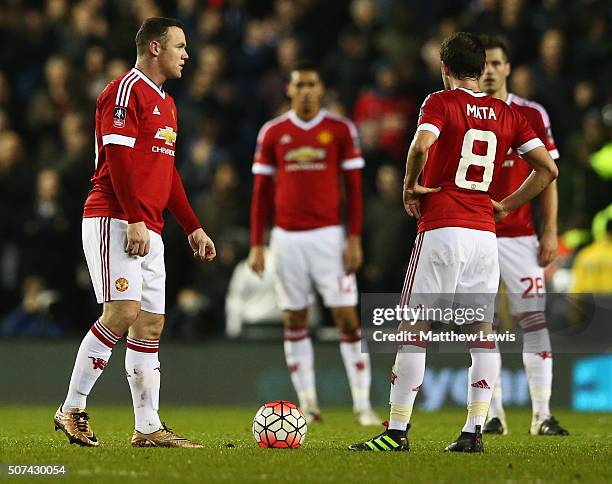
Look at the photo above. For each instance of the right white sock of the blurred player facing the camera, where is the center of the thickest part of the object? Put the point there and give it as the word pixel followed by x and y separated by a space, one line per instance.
pixel 357 365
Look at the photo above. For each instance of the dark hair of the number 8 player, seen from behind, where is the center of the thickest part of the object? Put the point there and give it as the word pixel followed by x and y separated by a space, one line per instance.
pixel 464 55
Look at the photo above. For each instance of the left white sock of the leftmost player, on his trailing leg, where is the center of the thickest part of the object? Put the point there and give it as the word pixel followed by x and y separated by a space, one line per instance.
pixel 91 359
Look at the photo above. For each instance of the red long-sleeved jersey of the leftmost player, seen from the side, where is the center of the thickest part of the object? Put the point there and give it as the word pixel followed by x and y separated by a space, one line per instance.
pixel 132 111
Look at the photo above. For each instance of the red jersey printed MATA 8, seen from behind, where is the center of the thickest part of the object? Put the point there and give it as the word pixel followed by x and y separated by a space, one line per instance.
pixel 475 131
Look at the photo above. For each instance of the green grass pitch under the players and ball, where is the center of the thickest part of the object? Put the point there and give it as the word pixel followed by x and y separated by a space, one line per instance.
pixel 230 453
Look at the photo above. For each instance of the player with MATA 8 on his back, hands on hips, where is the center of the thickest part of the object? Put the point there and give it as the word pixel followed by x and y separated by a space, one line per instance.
pixel 462 138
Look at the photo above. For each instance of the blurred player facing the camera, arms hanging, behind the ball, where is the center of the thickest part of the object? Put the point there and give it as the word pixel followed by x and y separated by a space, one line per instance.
pixel 300 161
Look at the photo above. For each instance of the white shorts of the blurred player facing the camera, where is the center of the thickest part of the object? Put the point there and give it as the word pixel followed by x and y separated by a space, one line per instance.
pixel 307 258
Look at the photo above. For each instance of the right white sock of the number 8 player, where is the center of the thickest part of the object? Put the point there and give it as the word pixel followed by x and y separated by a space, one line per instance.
pixel 482 376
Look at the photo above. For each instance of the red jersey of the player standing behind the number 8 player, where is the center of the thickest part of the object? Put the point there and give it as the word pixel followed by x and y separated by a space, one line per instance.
pixel 514 170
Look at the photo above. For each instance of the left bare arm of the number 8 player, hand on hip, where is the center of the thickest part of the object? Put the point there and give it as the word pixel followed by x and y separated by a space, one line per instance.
pixel 415 162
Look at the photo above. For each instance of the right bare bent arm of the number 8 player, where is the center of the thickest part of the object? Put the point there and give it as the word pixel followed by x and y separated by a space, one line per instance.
pixel 545 171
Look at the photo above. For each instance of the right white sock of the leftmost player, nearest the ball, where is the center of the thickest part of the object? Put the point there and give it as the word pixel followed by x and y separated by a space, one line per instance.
pixel 142 370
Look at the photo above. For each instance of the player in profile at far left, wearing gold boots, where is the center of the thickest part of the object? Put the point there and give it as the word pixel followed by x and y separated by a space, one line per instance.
pixel 135 180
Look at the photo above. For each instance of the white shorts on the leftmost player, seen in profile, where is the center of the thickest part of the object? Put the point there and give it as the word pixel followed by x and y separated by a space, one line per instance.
pixel 118 276
